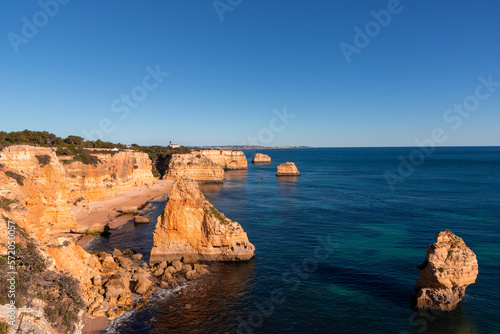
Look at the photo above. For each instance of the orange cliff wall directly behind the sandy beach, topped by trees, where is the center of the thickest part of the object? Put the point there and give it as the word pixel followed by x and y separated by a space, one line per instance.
pixel 115 173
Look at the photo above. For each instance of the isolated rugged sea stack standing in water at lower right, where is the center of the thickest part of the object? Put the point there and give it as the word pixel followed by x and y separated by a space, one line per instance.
pixel 449 267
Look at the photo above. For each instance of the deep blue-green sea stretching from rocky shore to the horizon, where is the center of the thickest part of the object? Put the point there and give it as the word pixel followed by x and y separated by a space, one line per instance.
pixel 336 248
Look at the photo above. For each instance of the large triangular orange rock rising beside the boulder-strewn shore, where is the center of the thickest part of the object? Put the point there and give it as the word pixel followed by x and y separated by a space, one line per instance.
pixel 191 227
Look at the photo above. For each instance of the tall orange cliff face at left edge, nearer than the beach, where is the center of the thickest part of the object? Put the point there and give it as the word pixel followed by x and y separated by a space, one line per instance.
pixel 33 191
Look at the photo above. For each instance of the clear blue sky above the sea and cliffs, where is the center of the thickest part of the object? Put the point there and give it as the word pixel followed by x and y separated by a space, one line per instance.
pixel 227 76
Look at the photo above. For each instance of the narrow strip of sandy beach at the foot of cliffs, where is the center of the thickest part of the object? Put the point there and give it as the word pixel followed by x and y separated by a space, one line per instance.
pixel 95 215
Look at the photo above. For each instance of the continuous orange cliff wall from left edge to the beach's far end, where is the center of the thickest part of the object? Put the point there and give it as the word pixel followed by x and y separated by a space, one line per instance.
pixel 37 189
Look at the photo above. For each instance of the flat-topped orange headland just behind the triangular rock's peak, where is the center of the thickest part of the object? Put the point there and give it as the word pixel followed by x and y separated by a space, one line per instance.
pixel 194 166
